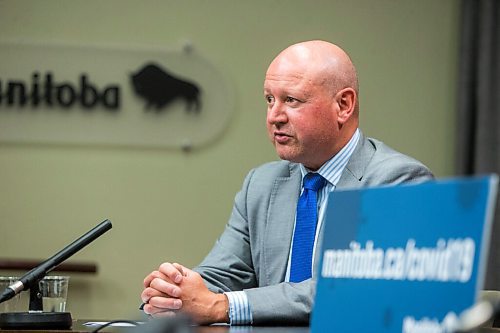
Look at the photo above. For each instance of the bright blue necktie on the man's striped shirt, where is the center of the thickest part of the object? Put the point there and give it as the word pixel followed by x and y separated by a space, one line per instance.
pixel 305 228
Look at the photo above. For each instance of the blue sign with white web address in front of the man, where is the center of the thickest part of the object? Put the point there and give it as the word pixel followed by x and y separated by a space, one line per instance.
pixel 407 258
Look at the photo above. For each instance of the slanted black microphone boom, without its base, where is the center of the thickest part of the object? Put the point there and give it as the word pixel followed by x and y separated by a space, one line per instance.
pixel 37 273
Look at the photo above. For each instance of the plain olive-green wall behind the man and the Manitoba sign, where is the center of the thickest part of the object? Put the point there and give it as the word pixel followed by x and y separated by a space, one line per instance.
pixel 170 205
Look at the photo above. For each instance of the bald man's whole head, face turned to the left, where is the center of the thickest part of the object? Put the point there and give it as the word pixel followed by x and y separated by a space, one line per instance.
pixel 311 92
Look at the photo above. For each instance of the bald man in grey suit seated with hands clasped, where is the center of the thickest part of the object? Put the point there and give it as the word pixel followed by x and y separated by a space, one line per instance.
pixel 311 90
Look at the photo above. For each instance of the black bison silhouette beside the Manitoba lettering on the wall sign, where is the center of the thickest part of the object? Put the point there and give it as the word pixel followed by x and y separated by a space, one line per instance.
pixel 158 88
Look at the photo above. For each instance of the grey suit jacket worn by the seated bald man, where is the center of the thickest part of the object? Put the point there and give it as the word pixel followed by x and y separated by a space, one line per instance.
pixel 253 250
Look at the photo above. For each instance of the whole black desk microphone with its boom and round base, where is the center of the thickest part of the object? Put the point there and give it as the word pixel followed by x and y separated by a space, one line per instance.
pixel 35 318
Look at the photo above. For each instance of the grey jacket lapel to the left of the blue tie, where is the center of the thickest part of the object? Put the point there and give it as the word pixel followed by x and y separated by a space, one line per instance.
pixel 279 224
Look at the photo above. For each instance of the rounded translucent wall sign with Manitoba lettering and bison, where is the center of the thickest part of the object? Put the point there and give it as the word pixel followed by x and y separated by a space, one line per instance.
pixel 68 94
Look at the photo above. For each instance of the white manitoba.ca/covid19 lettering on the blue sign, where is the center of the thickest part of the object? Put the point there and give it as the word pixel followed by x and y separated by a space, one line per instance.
pixel 449 260
